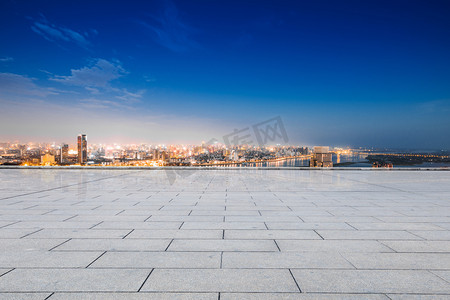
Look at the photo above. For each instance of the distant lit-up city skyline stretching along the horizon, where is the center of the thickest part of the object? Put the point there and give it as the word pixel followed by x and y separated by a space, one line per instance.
pixel 206 154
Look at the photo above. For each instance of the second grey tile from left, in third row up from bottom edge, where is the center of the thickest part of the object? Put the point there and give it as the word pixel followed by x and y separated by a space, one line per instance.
pixel 158 260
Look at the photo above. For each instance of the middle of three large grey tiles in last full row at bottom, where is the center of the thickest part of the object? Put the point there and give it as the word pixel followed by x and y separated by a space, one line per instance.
pixel 225 280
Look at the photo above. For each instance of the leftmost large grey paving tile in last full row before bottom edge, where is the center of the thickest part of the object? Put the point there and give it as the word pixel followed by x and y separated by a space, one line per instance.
pixel 73 280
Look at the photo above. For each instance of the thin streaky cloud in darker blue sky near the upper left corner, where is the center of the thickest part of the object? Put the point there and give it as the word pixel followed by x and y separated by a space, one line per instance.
pixel 56 34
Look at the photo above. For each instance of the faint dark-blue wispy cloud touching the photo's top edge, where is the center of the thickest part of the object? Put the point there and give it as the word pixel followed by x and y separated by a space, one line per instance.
pixel 168 30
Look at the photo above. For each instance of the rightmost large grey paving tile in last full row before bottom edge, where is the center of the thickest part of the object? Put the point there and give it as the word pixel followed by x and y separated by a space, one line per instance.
pixel 370 281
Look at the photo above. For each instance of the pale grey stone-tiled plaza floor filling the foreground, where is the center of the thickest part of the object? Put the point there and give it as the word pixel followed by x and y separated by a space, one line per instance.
pixel 224 234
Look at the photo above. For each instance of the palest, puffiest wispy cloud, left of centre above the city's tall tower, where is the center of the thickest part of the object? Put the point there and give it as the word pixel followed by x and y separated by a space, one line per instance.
pixel 98 74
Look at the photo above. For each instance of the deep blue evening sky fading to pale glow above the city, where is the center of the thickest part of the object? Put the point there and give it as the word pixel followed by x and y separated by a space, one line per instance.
pixel 343 73
